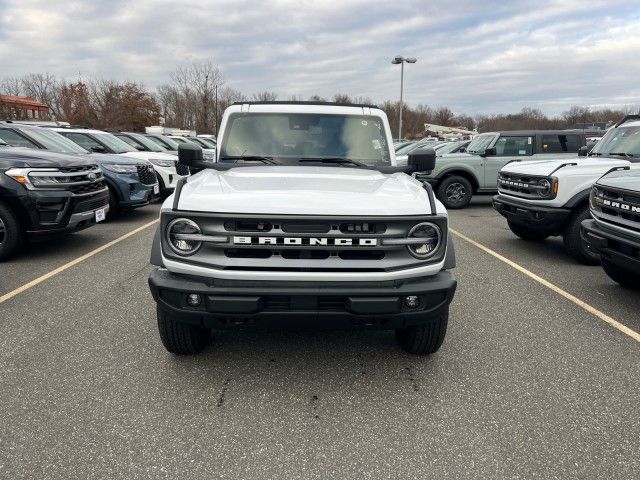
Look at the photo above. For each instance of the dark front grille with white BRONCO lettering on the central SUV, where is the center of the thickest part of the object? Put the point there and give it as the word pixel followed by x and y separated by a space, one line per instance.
pixel 306 244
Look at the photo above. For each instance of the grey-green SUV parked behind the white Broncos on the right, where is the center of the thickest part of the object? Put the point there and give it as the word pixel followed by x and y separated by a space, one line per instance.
pixel 458 176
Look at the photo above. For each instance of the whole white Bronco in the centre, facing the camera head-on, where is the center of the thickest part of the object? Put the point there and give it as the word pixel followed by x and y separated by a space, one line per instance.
pixel 303 221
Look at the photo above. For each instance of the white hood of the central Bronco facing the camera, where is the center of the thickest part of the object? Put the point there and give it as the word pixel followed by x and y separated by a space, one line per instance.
pixel 304 190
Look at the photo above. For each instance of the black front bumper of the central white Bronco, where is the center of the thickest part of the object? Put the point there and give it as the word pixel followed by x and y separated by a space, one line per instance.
pixel 246 304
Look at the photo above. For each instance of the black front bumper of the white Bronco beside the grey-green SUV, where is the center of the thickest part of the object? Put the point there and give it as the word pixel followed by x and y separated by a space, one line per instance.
pixel 537 217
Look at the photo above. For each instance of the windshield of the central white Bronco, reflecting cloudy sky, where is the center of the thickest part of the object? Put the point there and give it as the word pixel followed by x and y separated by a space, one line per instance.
pixel 289 137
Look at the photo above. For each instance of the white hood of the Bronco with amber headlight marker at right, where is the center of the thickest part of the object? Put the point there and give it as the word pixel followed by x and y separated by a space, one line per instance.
pixel 581 165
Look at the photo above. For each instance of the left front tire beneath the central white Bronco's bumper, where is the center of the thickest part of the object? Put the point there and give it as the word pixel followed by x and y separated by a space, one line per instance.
pixel 181 338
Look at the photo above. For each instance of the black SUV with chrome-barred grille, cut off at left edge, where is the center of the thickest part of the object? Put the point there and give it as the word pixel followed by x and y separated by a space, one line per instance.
pixel 45 195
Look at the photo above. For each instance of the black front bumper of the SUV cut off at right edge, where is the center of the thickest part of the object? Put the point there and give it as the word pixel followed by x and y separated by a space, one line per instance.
pixel 618 248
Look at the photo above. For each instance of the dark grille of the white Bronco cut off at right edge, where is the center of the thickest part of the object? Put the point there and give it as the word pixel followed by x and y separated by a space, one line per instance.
pixel 617 206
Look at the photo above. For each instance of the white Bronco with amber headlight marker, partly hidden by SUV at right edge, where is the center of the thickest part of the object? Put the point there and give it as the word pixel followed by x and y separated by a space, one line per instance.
pixel 548 198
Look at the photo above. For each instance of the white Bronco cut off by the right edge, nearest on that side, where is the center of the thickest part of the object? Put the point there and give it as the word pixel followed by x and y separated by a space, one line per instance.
pixel 614 231
